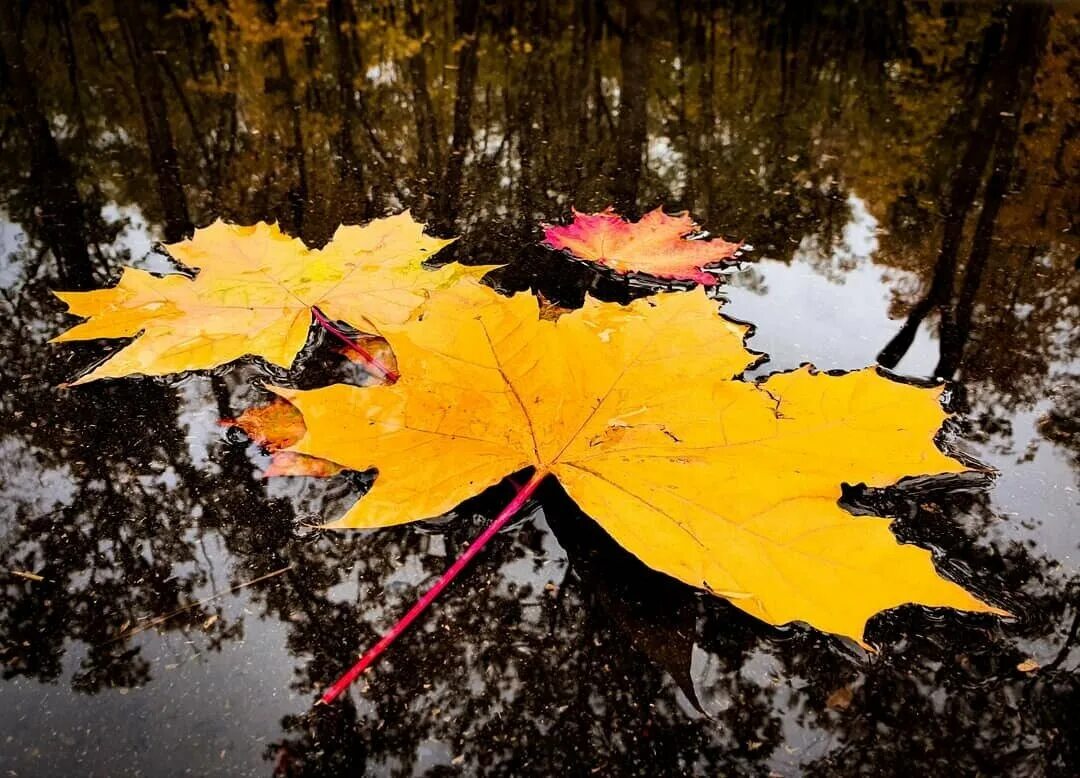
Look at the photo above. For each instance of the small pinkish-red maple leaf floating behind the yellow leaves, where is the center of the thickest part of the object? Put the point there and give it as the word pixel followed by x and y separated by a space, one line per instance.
pixel 656 246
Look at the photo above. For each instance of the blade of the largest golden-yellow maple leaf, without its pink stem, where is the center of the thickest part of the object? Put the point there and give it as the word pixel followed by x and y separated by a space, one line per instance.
pixel 725 485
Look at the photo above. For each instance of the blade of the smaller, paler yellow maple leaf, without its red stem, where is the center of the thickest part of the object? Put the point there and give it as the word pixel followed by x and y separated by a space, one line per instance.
pixel 254 293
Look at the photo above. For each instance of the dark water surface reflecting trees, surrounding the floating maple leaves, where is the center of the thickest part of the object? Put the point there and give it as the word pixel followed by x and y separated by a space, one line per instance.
pixel 907 173
